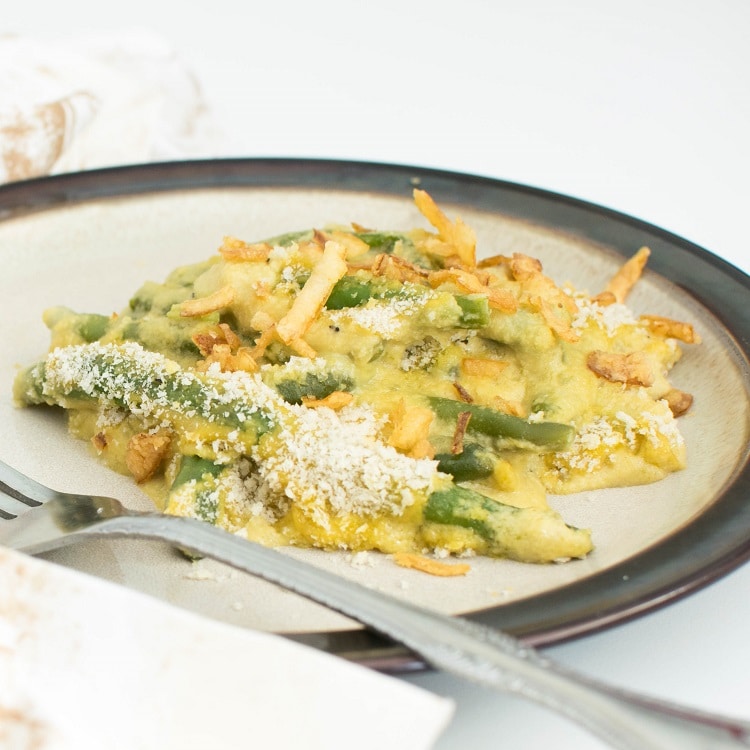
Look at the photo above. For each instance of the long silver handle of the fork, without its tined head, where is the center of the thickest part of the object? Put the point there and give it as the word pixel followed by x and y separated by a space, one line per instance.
pixel 623 719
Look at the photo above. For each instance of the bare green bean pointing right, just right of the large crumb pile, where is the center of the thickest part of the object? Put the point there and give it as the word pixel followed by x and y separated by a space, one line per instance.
pixel 552 436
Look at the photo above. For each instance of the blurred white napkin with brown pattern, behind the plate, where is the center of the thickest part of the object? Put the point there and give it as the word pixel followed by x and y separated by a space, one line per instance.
pixel 95 100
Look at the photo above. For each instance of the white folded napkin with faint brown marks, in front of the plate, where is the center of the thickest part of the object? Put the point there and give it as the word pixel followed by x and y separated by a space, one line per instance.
pixel 87 664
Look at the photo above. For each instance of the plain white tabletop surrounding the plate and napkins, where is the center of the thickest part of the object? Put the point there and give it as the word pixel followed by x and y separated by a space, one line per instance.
pixel 641 106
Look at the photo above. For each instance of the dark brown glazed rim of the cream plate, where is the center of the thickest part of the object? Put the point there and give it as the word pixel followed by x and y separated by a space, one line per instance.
pixel 687 560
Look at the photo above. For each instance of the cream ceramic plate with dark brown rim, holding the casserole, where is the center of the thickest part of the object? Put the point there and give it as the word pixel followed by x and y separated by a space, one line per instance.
pixel 90 239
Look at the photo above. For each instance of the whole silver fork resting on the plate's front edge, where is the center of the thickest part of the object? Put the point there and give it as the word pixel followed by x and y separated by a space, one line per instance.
pixel 38 519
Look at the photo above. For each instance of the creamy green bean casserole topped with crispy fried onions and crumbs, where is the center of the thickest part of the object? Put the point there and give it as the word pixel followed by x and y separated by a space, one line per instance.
pixel 357 389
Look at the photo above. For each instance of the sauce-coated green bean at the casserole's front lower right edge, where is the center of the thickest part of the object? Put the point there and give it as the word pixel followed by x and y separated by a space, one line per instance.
pixel 525 534
